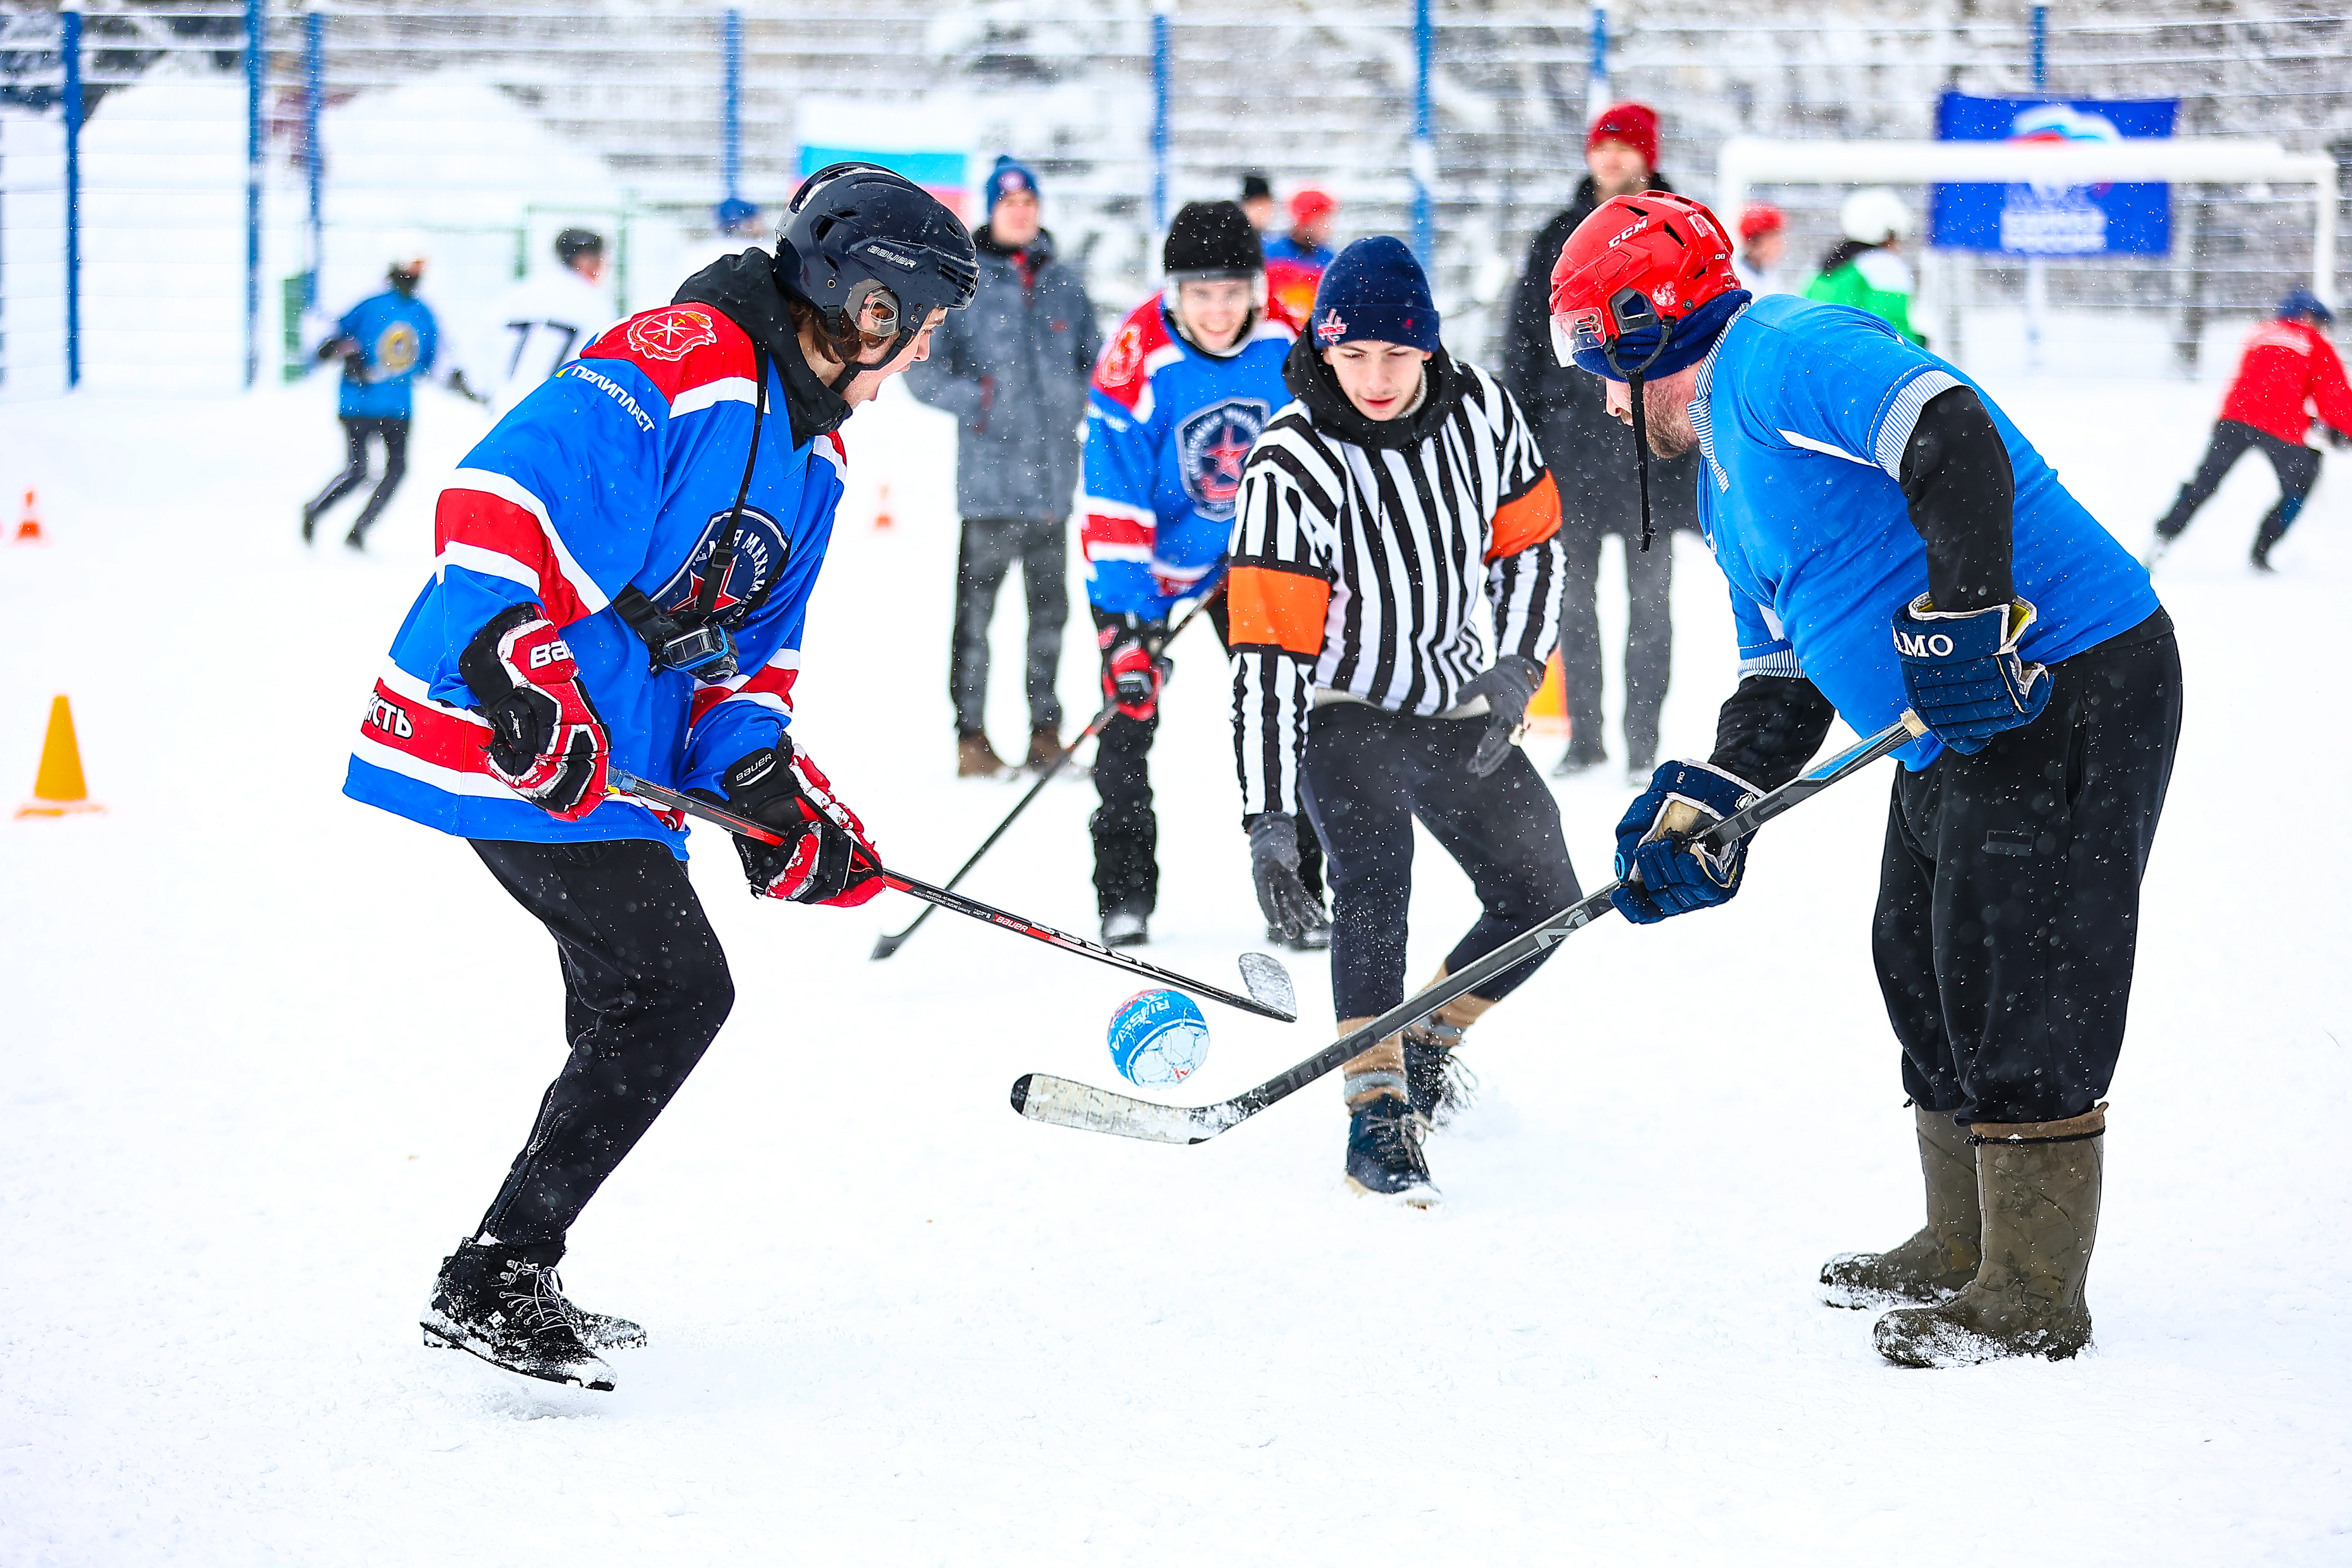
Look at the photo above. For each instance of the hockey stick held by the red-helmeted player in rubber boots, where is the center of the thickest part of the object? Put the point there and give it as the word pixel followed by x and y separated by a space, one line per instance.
pixel 1043 1097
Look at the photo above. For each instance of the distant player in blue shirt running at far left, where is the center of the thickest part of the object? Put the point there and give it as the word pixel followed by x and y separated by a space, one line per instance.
pixel 387 342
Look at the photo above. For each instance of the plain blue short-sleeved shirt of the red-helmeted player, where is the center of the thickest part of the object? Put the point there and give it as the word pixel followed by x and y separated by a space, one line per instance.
pixel 1803 417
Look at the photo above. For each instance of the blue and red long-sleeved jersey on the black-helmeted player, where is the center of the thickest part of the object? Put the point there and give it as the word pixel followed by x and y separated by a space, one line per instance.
pixel 617 471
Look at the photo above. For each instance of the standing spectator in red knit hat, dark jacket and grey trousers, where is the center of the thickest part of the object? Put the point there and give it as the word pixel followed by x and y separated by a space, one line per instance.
pixel 1591 460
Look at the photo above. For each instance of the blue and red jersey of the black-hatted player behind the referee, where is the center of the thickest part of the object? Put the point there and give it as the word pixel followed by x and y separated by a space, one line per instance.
pixel 1168 434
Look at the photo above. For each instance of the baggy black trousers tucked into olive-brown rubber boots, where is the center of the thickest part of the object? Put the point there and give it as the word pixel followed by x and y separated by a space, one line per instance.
pixel 2010 892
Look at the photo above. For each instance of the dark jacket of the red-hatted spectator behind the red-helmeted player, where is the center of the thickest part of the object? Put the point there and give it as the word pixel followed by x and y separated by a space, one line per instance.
pixel 1591 455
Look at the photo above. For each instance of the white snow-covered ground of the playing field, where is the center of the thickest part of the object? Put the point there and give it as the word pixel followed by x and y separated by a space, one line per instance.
pixel 267 1054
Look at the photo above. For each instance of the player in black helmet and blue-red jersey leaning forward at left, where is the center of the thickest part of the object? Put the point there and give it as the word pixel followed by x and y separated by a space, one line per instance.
pixel 624 575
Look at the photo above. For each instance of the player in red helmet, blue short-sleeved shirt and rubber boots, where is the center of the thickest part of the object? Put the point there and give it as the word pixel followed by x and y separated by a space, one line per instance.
pixel 1892 542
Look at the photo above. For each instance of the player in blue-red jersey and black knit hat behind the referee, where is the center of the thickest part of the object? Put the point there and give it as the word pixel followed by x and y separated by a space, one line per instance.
pixel 1180 398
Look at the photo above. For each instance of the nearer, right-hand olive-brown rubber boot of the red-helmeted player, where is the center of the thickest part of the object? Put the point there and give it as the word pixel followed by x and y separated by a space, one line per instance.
pixel 2038 1184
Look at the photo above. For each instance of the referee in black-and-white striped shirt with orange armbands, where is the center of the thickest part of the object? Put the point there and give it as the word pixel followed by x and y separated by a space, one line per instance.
pixel 1387 514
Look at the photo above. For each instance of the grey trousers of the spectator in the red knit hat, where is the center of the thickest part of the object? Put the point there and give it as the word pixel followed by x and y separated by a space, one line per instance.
pixel 1650 641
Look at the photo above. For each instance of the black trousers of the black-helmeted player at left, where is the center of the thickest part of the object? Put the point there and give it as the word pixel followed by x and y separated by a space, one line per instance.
pixel 646 993
